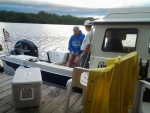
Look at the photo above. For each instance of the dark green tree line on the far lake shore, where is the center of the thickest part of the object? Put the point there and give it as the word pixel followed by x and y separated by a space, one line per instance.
pixel 41 17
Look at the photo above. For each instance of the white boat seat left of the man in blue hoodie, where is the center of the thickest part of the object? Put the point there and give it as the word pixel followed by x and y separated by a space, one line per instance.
pixel 57 57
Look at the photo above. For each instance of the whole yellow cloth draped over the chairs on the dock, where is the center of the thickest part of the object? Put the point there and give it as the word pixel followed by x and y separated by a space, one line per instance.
pixel 111 89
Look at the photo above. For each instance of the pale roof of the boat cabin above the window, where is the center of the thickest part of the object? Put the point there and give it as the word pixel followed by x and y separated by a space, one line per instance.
pixel 126 15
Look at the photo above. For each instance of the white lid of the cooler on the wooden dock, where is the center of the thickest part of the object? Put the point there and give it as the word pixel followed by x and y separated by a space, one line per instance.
pixel 27 76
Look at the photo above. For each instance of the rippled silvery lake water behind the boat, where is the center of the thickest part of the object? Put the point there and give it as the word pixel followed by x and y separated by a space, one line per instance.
pixel 46 36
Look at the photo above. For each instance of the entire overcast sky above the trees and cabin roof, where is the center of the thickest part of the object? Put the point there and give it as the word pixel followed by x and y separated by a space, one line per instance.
pixel 72 7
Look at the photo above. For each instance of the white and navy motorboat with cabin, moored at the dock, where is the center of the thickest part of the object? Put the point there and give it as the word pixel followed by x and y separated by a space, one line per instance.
pixel 130 25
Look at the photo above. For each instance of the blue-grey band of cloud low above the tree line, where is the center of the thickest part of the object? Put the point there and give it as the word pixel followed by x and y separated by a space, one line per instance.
pixel 57 10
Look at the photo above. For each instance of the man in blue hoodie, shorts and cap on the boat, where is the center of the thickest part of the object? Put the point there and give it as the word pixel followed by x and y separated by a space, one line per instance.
pixel 74 46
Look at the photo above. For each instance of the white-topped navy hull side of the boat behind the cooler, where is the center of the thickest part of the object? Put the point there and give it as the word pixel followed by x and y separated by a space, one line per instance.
pixel 51 73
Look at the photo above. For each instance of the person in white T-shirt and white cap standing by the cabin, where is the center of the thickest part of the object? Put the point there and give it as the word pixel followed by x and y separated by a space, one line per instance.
pixel 85 47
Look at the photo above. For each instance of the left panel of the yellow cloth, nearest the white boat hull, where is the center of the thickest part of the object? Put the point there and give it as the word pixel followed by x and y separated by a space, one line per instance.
pixel 97 96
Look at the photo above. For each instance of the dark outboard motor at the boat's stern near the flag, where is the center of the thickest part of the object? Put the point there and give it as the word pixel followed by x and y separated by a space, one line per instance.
pixel 25 47
